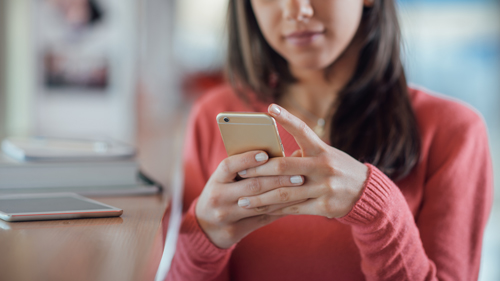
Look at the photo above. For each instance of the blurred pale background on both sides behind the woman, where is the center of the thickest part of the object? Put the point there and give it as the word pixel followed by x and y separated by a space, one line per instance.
pixel 130 69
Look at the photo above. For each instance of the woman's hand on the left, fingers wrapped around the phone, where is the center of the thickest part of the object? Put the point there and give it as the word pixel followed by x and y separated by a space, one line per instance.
pixel 217 210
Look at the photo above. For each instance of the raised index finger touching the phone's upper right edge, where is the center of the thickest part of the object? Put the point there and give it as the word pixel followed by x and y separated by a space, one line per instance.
pixel 305 137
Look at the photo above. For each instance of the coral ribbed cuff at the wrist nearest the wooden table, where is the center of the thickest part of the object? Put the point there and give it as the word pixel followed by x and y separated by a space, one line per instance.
pixel 192 234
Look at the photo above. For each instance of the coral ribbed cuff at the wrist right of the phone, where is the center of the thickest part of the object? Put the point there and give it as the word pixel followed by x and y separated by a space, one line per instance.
pixel 374 201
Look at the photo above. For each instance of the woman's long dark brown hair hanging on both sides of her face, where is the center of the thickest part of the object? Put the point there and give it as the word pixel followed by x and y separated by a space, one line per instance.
pixel 373 119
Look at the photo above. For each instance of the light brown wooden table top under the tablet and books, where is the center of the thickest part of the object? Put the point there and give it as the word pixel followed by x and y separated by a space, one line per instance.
pixel 124 248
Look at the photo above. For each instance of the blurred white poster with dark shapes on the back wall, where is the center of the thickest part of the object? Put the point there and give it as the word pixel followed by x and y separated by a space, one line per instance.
pixel 85 54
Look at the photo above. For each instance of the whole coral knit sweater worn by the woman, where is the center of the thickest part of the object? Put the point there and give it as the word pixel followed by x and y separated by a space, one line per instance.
pixel 428 226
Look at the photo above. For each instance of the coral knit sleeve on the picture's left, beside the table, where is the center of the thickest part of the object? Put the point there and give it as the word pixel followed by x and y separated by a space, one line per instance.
pixel 196 257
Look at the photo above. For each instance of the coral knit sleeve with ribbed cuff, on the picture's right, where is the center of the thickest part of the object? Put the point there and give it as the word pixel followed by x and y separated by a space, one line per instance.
pixel 444 241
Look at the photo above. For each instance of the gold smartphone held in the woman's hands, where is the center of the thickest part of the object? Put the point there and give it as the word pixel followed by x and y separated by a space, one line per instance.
pixel 242 132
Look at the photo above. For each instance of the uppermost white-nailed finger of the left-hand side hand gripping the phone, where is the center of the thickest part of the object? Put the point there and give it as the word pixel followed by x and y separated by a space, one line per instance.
pixel 229 167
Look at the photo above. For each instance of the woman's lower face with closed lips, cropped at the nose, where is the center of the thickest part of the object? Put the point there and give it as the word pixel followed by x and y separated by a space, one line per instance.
pixel 309 34
